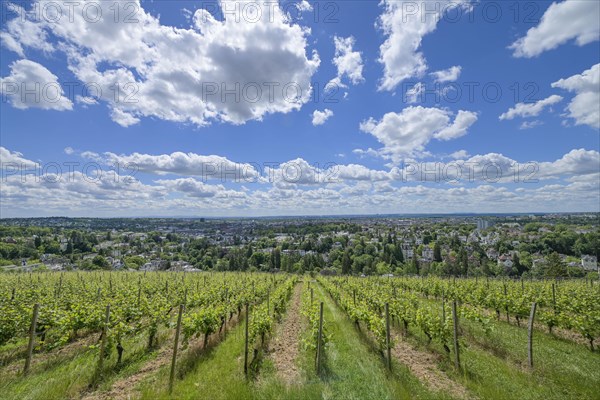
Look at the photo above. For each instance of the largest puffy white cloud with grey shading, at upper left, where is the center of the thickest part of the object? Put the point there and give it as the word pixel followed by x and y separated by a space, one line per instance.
pixel 241 68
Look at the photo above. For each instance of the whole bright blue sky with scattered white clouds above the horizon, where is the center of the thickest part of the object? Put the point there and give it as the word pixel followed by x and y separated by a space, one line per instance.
pixel 496 86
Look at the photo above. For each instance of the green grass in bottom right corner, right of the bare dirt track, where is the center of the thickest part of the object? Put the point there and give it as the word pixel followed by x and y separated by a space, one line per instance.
pixel 495 364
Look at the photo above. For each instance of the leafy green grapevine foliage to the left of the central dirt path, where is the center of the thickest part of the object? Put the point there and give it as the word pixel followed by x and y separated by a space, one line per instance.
pixel 74 304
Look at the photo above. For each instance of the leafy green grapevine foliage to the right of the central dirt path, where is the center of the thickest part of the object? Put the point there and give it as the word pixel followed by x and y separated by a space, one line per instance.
pixel 423 303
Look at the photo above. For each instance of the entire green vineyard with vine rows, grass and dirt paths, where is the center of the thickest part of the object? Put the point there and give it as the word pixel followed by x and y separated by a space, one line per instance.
pixel 101 335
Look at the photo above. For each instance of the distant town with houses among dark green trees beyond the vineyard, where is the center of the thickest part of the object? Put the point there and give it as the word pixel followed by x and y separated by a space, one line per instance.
pixel 529 246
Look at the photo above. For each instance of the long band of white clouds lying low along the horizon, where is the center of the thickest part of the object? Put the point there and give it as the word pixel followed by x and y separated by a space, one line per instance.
pixel 300 188
